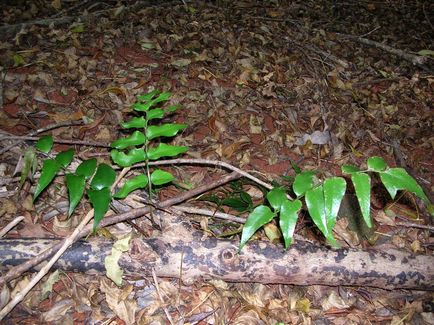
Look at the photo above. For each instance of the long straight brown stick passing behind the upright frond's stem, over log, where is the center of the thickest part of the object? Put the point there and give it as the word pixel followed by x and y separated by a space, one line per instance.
pixel 20 269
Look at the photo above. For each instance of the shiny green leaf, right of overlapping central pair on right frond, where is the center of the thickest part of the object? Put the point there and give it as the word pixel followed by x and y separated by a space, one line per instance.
pixel 334 191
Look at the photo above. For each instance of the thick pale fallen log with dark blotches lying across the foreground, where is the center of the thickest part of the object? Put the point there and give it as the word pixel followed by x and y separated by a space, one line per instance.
pixel 209 258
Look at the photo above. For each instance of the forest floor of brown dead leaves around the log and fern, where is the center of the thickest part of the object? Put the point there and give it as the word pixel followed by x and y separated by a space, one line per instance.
pixel 268 86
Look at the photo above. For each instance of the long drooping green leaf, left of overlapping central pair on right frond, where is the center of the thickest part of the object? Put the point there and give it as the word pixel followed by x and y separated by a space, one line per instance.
pixel 316 206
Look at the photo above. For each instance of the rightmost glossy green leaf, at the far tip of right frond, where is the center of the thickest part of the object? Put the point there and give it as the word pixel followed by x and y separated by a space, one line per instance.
pixel 395 179
